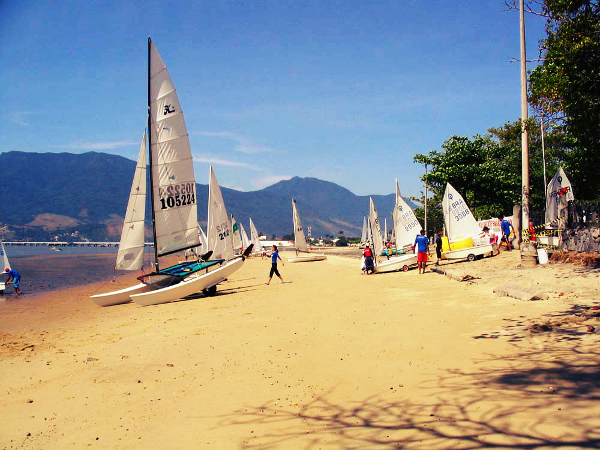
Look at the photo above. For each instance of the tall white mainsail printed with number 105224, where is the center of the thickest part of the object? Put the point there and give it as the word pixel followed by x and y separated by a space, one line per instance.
pixel 174 186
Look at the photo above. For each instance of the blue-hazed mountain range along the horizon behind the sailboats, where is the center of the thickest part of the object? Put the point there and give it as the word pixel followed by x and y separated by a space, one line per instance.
pixel 58 192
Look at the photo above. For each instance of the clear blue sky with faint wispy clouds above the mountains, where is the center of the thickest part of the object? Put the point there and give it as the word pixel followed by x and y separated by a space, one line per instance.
pixel 344 91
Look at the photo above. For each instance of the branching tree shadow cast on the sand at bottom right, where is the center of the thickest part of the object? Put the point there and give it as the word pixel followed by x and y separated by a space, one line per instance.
pixel 535 398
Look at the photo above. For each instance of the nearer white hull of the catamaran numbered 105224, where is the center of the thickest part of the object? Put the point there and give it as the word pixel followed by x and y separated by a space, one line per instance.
pixel 191 285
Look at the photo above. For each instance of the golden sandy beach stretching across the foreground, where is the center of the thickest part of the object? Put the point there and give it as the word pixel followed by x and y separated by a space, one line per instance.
pixel 333 359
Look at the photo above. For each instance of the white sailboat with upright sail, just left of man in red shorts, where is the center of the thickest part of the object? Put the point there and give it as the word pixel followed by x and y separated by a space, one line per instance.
pixel 406 227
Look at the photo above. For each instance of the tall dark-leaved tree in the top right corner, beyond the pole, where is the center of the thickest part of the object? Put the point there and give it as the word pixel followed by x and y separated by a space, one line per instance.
pixel 566 85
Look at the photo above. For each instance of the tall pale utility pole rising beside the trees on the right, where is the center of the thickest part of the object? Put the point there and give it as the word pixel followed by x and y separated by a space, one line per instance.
pixel 524 134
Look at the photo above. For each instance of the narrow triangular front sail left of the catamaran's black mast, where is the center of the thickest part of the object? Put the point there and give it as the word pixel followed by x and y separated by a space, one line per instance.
pixel 131 248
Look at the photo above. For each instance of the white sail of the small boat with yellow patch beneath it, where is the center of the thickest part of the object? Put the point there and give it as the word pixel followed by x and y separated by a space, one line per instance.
pixel 459 221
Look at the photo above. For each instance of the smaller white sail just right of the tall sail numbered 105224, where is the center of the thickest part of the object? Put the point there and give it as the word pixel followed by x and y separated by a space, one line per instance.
pixel 220 240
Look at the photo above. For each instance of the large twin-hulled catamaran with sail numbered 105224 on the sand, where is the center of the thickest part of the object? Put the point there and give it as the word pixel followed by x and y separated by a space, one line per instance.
pixel 174 208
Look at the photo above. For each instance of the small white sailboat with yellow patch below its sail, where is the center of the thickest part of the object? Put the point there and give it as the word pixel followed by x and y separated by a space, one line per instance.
pixel 461 228
